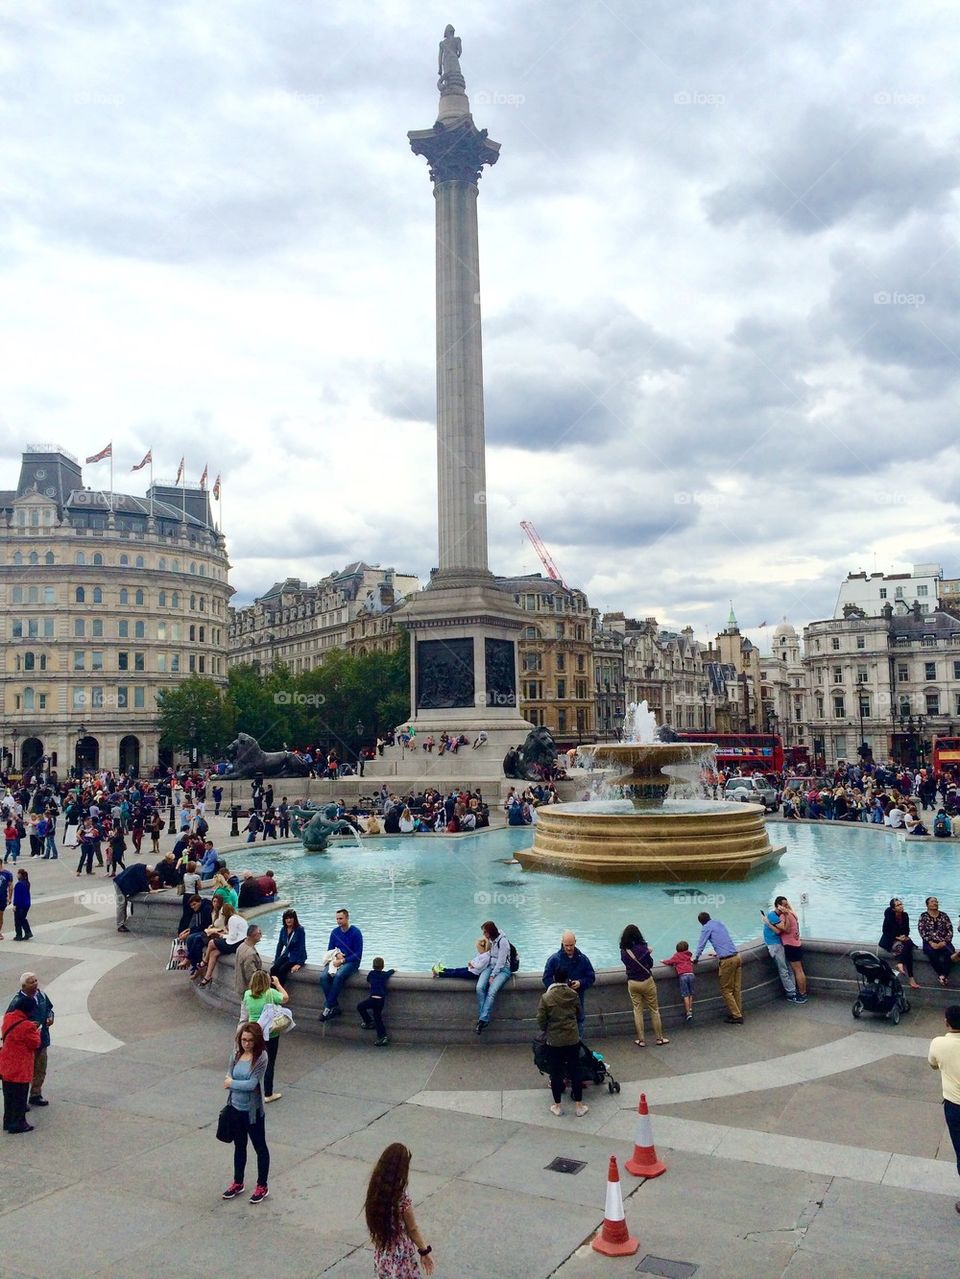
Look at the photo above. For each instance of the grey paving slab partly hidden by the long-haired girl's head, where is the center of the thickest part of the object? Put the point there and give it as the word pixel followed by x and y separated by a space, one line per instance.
pixel 447 1148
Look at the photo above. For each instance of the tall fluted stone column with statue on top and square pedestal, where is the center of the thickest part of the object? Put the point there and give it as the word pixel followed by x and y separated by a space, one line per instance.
pixel 463 629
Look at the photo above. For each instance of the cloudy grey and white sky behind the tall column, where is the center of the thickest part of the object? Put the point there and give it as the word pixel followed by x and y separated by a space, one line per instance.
pixel 722 282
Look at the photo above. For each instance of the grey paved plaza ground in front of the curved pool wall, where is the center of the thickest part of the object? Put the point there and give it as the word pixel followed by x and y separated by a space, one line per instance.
pixel 801 1144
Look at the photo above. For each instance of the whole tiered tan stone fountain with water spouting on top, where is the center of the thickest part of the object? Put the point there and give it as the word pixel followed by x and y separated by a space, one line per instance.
pixel 651 829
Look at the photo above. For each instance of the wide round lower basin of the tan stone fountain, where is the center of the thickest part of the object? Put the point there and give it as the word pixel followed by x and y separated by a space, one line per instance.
pixel 614 841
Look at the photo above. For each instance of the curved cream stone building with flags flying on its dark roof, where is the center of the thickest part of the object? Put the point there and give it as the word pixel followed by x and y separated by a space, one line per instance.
pixel 105 600
